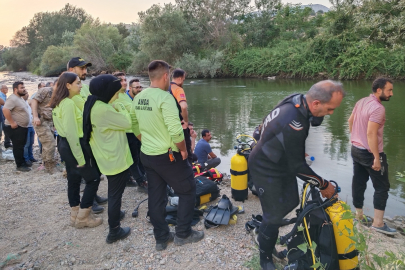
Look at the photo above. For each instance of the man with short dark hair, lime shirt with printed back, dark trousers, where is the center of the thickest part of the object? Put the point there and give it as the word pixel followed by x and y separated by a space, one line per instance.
pixel 155 121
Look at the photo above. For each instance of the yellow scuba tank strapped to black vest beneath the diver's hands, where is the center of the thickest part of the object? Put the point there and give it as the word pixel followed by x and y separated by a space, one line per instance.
pixel 343 229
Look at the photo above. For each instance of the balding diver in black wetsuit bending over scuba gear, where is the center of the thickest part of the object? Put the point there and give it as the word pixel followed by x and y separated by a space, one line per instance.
pixel 279 158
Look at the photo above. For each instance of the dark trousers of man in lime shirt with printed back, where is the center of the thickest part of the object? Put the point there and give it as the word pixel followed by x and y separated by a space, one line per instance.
pixel 178 175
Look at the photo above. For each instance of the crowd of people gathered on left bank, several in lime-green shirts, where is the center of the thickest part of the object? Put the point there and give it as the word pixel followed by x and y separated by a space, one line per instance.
pixel 133 137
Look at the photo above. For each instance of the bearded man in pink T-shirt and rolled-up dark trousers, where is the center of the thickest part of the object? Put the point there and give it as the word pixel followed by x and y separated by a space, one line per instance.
pixel 366 125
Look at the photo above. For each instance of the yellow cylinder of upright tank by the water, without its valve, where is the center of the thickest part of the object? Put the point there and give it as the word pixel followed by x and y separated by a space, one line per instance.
pixel 239 178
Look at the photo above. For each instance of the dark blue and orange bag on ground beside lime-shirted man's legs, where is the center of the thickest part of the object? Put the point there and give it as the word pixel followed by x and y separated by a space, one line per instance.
pixel 206 190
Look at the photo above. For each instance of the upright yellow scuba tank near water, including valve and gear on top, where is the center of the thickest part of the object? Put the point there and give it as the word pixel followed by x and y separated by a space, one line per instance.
pixel 239 169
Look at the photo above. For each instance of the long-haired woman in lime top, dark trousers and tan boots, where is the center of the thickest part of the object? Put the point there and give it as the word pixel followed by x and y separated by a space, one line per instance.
pixel 68 122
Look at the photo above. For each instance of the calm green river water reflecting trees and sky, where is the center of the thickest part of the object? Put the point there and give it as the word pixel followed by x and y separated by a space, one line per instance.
pixel 229 107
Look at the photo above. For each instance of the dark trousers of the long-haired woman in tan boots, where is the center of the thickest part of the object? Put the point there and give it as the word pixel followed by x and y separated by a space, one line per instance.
pixel 89 172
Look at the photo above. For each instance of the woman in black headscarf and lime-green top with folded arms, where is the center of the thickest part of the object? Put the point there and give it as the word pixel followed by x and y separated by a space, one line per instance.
pixel 104 127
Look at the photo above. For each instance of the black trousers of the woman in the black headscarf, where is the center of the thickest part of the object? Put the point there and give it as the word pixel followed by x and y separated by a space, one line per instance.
pixel 116 186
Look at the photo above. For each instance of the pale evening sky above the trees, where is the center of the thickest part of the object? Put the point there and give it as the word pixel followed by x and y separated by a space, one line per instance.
pixel 14 14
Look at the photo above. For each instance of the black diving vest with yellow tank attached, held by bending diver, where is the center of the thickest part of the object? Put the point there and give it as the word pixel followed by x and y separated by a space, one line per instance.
pixel 322 224
